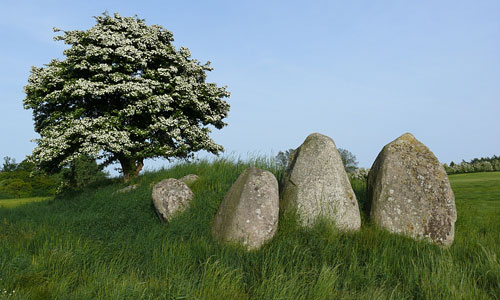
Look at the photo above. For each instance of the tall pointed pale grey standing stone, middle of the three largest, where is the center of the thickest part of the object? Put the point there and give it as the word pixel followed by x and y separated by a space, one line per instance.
pixel 316 184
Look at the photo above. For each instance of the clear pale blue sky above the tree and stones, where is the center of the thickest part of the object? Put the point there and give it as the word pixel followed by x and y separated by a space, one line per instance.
pixel 361 72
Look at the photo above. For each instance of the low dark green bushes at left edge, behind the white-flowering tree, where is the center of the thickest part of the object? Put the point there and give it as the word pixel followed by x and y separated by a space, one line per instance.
pixel 21 180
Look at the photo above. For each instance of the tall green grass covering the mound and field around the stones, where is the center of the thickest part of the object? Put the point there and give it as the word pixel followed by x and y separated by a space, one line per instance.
pixel 102 245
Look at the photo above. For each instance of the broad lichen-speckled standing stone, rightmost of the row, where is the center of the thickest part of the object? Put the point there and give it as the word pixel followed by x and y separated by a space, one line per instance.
pixel 409 192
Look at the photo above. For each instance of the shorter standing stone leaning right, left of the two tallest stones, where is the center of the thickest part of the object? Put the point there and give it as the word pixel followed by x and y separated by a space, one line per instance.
pixel 248 214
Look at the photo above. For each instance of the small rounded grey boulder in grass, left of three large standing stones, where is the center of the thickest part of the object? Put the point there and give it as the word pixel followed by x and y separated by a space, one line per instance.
pixel 171 196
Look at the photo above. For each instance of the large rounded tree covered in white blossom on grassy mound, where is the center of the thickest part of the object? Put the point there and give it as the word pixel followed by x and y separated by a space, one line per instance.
pixel 122 94
